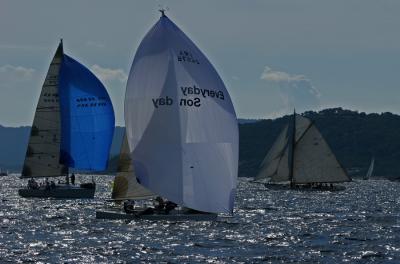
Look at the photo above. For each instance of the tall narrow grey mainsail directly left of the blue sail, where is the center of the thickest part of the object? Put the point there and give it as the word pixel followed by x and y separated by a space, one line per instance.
pixel 43 153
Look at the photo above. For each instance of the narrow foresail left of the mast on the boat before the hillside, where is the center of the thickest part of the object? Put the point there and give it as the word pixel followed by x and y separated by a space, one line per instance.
pixel 269 165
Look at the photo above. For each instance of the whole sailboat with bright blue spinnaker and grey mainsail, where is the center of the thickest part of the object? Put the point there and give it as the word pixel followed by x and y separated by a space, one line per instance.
pixel 72 128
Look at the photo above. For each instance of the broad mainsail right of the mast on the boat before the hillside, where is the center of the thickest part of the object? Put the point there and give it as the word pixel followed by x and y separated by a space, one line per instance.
pixel 314 161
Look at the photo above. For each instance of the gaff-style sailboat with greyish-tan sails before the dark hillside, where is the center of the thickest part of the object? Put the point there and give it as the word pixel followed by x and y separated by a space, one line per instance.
pixel 300 156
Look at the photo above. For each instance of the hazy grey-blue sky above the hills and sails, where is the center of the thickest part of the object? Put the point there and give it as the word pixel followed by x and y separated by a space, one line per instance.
pixel 272 55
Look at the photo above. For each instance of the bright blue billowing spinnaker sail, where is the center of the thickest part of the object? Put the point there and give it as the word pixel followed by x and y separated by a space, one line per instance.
pixel 87 118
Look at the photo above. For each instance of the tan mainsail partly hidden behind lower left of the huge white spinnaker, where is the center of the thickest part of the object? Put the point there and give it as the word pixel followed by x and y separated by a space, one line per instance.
pixel 125 184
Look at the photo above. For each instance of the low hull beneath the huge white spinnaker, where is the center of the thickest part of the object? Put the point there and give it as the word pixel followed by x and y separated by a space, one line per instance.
pixel 176 216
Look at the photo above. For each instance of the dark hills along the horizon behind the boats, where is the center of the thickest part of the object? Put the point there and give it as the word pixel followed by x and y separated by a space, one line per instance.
pixel 354 137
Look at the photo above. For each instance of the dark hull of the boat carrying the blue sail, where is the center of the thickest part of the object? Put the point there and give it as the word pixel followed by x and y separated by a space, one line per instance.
pixel 60 192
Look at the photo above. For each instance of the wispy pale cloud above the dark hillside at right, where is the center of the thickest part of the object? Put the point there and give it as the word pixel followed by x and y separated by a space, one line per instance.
pixel 296 90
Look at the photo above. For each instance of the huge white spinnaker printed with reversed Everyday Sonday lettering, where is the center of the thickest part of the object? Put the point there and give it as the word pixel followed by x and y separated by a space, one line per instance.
pixel 186 153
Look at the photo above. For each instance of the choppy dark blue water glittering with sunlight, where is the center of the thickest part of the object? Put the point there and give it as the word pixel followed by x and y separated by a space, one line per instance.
pixel 360 224
